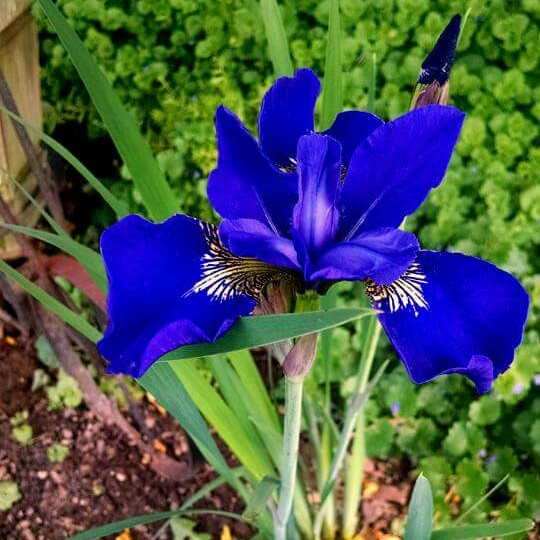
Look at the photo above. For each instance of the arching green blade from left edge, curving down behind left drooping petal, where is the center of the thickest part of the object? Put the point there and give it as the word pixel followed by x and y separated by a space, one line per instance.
pixel 91 260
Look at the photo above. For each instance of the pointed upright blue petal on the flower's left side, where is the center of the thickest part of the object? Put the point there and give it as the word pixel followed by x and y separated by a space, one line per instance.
pixel 244 184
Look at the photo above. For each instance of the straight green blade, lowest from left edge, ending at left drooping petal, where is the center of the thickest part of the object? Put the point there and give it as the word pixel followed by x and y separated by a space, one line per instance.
pixel 75 320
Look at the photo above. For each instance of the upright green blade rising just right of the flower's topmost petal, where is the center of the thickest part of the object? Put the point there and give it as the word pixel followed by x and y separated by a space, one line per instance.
pixel 332 98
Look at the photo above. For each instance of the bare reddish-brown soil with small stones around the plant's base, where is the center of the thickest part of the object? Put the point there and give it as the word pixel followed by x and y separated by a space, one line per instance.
pixel 104 479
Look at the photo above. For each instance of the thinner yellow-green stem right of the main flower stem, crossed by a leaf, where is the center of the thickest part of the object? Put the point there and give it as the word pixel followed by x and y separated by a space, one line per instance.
pixel 355 464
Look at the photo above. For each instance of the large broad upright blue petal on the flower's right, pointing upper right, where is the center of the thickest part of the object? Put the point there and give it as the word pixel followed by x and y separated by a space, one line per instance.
pixel 393 170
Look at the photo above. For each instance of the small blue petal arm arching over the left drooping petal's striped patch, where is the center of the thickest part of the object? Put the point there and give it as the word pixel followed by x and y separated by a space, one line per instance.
pixel 251 238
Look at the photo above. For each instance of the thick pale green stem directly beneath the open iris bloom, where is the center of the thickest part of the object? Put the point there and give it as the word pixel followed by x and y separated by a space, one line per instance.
pixel 289 464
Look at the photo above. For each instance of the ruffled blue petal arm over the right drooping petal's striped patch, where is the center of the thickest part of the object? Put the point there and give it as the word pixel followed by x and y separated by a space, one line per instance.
pixel 382 255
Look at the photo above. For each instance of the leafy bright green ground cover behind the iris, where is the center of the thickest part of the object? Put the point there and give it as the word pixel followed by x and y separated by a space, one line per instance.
pixel 174 61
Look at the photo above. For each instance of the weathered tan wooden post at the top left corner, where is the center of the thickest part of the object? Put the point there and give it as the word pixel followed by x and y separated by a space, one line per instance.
pixel 19 61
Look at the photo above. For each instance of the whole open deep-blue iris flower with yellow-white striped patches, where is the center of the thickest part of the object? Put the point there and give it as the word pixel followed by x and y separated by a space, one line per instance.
pixel 313 209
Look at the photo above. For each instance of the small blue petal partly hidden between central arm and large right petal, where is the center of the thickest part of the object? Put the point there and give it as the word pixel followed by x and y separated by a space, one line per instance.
pixel 350 128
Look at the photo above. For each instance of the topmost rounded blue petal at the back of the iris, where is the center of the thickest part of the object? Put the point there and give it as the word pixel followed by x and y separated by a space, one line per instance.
pixel 287 113
